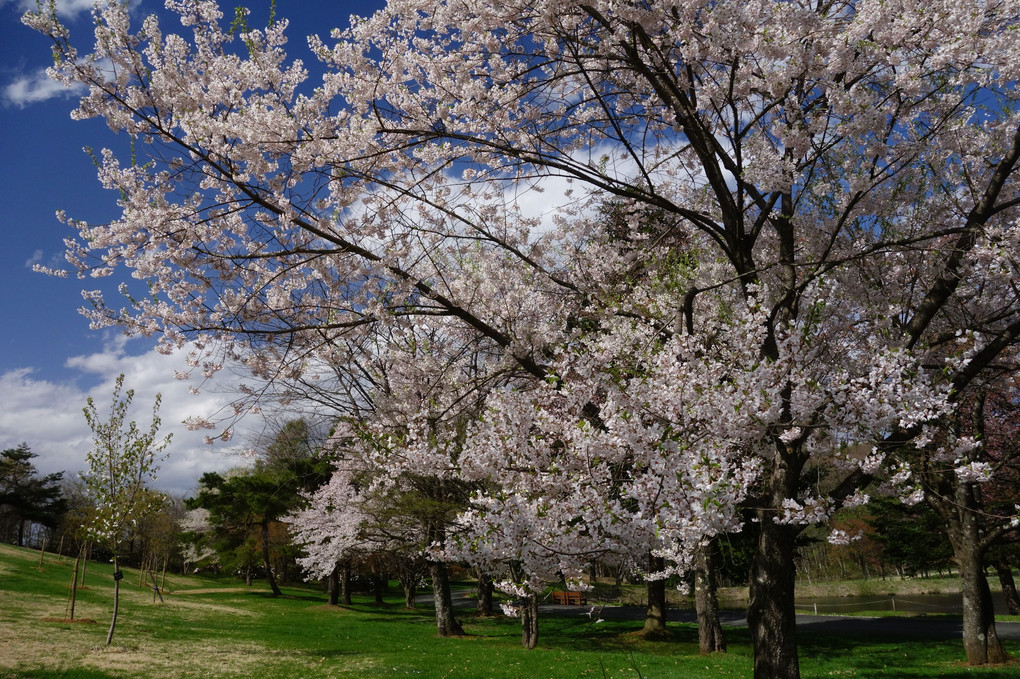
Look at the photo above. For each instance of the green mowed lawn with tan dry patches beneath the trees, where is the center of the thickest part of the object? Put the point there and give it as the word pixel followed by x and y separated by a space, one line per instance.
pixel 218 628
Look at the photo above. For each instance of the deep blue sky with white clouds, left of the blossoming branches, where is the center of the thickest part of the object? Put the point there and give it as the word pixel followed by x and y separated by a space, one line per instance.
pixel 50 361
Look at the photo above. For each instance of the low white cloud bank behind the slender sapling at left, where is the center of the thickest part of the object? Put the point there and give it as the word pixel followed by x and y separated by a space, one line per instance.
pixel 47 415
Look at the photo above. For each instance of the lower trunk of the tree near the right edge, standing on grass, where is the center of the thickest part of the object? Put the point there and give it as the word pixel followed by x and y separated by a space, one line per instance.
pixel 981 642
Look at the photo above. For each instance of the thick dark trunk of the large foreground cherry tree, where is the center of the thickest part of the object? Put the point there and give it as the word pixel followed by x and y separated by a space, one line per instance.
pixel 772 617
